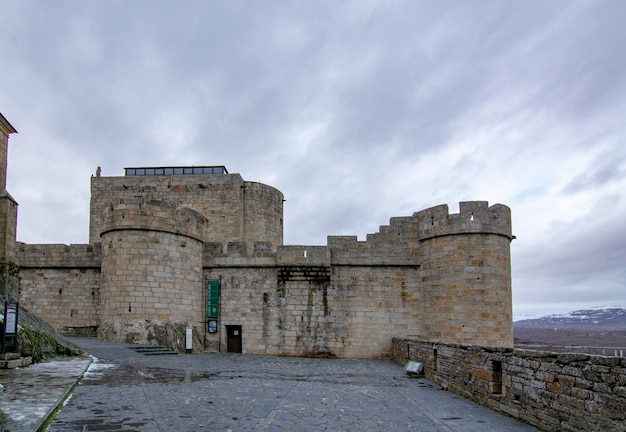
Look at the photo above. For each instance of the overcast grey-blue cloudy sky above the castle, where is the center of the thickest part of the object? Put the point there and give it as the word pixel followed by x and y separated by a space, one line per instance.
pixel 357 111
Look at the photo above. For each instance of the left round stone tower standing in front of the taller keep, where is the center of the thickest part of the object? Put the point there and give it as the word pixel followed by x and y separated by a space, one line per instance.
pixel 152 280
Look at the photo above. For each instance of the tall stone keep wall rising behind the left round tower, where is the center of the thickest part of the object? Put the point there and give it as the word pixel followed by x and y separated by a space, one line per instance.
pixel 236 210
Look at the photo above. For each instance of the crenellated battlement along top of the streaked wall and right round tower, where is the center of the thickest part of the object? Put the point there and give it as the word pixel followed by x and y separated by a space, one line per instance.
pixel 396 244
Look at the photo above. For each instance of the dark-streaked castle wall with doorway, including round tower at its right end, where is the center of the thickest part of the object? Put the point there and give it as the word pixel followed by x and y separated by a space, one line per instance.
pixel 435 275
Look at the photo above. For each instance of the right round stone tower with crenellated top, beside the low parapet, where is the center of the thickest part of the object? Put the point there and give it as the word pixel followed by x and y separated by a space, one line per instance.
pixel 466 274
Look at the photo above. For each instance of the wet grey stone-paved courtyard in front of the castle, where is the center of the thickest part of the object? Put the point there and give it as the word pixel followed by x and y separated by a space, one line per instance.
pixel 127 391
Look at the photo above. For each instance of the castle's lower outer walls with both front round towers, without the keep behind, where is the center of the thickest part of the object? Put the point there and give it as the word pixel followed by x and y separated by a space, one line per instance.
pixel 433 275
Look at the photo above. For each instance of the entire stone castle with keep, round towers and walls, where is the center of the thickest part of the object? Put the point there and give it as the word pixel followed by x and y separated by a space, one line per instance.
pixel 174 248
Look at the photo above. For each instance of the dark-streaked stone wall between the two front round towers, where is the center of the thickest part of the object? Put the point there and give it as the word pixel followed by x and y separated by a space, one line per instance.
pixel 296 303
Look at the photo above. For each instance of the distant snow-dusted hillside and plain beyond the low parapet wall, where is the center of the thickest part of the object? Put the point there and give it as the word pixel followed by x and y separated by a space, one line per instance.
pixel 594 331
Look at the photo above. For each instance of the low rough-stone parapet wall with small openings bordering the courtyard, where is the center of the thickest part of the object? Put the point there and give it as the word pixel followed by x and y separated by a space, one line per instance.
pixel 551 391
